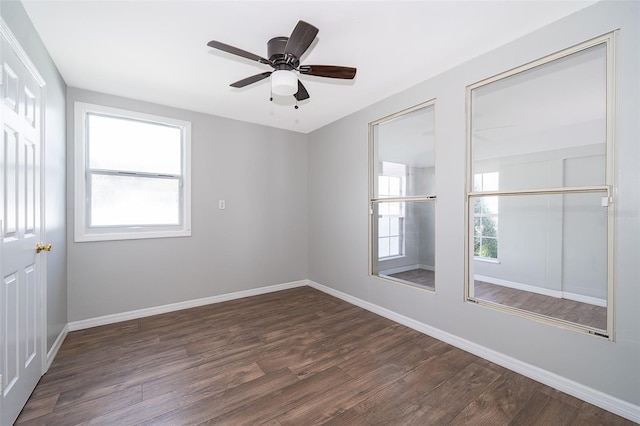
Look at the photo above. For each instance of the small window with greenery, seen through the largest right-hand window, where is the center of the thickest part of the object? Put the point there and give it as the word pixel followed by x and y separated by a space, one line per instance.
pixel 485 215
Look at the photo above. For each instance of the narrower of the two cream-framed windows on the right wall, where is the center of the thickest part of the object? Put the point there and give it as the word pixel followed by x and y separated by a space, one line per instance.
pixel 402 197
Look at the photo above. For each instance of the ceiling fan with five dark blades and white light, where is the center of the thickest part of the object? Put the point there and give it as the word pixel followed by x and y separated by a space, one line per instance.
pixel 284 57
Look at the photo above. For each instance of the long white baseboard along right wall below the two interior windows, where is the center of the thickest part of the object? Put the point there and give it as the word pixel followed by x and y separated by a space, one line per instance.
pixel 600 399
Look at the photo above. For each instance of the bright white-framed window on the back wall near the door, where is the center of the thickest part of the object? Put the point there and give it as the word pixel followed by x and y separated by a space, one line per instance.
pixel 131 175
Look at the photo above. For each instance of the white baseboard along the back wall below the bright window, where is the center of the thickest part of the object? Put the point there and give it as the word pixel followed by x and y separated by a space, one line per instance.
pixel 141 313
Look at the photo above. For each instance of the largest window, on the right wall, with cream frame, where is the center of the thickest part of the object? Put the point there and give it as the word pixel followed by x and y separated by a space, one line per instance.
pixel 545 132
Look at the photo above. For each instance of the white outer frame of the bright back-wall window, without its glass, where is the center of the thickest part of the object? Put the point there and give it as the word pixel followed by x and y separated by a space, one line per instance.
pixel 82 201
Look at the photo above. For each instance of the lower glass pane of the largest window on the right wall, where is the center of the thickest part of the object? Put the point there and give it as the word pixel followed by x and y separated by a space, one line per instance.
pixel 552 257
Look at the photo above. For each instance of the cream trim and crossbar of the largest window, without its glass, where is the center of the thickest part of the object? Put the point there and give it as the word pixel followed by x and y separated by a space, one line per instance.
pixel 608 189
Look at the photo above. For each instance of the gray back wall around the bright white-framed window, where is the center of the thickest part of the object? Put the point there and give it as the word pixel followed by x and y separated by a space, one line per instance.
pixel 260 238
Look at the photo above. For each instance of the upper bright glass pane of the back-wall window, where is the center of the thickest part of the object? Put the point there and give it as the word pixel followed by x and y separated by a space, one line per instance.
pixel 132 145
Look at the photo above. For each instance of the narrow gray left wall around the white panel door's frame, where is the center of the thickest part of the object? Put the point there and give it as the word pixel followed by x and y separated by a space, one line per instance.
pixel 17 20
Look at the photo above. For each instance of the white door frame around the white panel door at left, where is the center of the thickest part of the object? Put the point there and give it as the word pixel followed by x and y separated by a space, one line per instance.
pixel 12 41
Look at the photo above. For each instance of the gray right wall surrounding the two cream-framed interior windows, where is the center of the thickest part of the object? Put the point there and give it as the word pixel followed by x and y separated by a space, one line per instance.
pixel 338 242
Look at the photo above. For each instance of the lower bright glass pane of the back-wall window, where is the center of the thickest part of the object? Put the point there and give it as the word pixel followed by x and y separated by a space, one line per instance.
pixel 127 201
